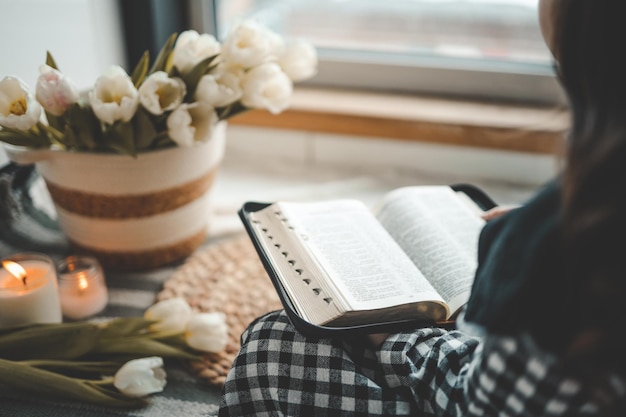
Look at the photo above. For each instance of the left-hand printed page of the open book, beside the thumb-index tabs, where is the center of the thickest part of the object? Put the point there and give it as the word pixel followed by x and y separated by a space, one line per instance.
pixel 364 263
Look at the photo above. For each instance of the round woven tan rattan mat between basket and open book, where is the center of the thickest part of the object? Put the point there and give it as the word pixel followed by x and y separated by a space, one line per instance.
pixel 225 277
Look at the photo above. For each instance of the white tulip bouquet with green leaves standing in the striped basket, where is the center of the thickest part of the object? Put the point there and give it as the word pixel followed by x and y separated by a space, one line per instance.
pixel 194 82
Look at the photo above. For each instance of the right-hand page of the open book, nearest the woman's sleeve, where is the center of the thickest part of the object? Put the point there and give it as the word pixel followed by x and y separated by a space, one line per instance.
pixel 439 231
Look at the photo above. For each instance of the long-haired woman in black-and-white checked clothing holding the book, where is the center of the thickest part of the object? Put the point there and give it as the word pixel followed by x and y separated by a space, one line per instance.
pixel 541 332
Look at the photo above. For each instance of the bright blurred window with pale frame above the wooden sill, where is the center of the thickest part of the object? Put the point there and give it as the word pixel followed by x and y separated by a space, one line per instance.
pixel 489 49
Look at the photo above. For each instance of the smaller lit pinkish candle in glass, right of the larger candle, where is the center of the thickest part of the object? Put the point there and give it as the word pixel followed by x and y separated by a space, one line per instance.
pixel 81 287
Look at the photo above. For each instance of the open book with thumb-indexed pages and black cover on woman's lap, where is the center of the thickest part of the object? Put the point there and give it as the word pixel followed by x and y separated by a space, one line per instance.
pixel 338 265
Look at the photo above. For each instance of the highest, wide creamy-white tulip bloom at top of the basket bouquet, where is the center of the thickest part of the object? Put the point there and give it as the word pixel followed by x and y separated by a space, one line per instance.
pixel 251 44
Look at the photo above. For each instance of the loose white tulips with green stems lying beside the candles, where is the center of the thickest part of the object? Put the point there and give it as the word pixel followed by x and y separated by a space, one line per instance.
pixel 115 363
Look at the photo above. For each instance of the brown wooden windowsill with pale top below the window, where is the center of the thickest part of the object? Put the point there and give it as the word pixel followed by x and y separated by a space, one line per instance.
pixel 510 127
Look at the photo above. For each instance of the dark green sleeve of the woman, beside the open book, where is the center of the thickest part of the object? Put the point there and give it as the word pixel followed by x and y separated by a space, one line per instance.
pixel 519 280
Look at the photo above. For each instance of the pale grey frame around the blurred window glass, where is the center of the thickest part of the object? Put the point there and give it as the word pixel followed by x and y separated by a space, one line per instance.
pixel 436 76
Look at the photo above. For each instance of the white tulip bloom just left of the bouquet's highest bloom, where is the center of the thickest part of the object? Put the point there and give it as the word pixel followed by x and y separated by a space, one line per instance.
pixel 191 48
